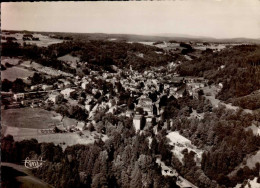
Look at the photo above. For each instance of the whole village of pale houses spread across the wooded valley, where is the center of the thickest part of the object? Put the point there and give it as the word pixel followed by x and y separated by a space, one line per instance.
pixel 92 95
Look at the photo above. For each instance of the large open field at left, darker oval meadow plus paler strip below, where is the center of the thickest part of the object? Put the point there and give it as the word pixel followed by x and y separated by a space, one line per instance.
pixel 27 123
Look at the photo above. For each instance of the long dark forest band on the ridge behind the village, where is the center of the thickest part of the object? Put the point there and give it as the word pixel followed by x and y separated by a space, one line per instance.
pixel 96 54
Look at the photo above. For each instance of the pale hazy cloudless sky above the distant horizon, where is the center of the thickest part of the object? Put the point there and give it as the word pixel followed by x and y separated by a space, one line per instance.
pixel 220 19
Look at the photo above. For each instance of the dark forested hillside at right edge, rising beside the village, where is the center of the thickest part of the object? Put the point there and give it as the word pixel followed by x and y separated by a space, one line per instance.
pixel 240 75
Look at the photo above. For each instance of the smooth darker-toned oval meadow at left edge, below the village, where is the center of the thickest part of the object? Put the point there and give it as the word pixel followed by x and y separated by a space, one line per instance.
pixel 29 118
